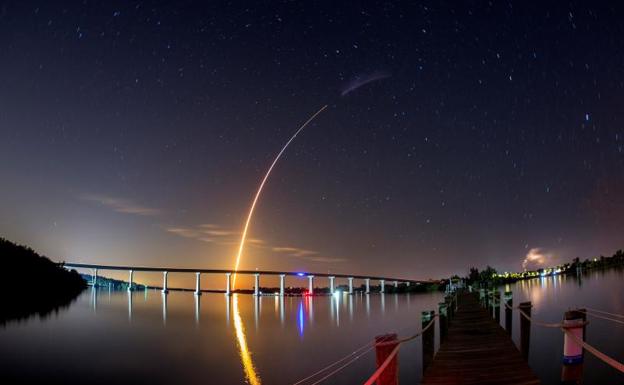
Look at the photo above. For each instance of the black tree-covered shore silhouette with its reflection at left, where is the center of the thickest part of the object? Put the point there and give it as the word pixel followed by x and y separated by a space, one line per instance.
pixel 32 284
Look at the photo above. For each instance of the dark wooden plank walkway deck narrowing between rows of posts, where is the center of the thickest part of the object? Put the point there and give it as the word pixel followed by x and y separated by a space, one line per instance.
pixel 477 351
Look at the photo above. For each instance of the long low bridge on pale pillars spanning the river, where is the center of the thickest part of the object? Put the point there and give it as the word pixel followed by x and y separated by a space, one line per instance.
pixel 256 273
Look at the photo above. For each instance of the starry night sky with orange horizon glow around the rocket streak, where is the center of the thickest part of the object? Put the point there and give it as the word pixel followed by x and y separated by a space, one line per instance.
pixel 457 134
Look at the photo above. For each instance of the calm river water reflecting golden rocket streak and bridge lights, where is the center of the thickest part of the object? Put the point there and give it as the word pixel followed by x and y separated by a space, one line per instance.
pixel 145 337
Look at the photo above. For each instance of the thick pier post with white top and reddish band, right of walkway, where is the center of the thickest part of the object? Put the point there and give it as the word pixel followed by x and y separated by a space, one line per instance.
pixel 572 368
